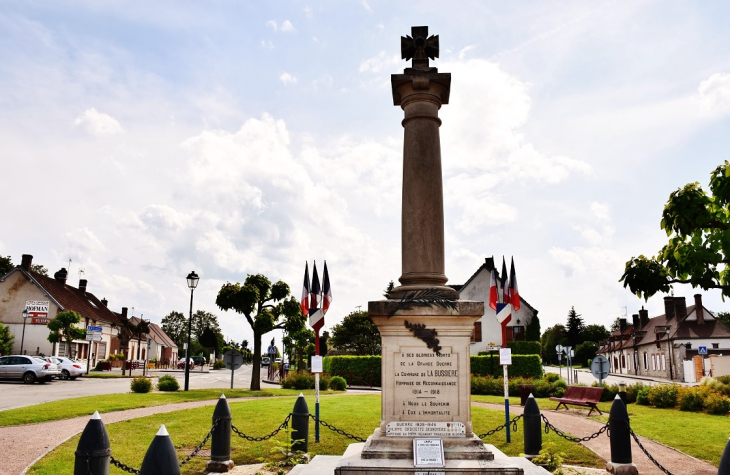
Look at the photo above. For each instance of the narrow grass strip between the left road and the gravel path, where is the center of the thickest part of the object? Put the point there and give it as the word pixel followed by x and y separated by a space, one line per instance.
pixel 84 406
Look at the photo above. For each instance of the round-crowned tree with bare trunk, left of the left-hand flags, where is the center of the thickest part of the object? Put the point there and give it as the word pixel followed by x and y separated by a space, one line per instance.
pixel 266 307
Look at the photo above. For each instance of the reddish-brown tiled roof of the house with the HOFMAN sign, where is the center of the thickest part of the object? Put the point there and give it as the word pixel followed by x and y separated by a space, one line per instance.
pixel 71 298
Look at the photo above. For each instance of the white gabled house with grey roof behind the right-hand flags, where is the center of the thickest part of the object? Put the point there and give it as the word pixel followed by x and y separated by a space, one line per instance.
pixel 488 330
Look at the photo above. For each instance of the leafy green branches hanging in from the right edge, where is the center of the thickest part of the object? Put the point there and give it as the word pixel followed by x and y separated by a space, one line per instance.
pixel 698 251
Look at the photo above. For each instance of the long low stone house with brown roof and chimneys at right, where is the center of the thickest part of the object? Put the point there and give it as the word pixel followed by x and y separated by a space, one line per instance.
pixel 664 346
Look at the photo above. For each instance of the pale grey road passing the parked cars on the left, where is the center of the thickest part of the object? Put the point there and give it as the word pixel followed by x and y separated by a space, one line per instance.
pixel 16 394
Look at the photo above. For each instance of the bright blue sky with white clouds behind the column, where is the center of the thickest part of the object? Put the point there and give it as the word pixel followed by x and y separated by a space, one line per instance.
pixel 144 140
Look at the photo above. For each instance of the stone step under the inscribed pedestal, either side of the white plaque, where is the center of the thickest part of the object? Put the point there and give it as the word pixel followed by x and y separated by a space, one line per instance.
pixel 401 448
